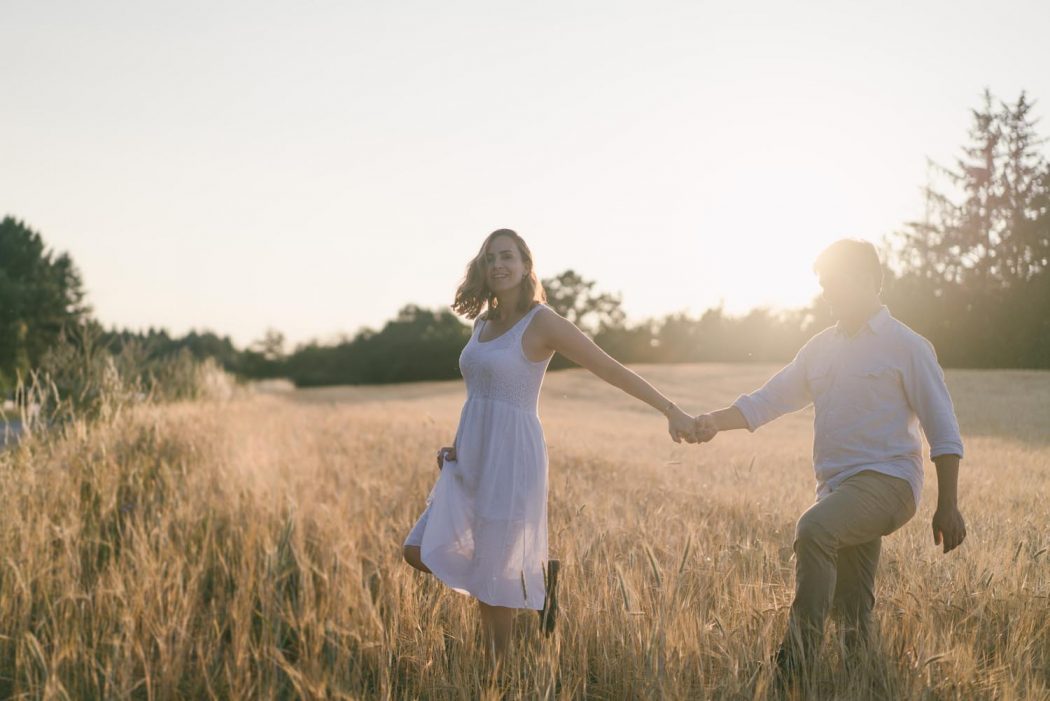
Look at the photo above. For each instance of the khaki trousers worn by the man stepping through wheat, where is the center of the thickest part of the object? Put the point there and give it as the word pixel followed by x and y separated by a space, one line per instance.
pixel 837 544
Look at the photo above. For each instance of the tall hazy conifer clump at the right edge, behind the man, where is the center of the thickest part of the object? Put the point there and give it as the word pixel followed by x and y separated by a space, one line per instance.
pixel 974 272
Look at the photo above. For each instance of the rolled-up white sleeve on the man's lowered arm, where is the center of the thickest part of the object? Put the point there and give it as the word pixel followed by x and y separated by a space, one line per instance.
pixel 929 396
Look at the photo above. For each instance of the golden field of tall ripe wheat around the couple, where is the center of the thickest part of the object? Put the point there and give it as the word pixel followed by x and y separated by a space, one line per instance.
pixel 250 549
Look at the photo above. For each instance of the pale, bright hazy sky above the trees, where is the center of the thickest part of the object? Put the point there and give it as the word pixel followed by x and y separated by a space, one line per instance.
pixel 316 166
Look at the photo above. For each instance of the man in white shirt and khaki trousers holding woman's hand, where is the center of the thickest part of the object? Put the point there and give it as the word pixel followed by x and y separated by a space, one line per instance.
pixel 873 381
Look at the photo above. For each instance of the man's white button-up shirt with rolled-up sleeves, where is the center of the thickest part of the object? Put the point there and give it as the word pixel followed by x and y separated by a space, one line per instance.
pixel 871 393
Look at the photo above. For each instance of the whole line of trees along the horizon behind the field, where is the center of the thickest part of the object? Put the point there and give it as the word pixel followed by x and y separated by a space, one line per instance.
pixel 973 275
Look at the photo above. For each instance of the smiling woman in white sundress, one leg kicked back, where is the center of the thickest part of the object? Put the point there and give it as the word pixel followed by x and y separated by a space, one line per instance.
pixel 485 532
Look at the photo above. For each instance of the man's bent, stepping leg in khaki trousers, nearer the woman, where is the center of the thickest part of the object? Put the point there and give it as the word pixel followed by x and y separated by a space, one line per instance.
pixel 862 511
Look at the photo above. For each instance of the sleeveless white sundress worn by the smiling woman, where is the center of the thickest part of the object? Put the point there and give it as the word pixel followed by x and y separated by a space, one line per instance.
pixel 485 532
